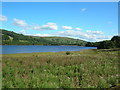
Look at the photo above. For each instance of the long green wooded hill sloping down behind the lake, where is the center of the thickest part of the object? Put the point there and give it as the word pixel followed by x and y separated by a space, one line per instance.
pixel 12 38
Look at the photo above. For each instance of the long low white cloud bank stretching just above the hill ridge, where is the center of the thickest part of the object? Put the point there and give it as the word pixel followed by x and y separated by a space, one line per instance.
pixel 73 34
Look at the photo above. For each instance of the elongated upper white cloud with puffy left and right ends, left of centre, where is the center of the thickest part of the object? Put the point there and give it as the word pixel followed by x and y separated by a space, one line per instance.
pixel 24 25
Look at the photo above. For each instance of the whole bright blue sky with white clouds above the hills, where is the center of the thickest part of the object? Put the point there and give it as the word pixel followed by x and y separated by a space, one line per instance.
pixel 89 21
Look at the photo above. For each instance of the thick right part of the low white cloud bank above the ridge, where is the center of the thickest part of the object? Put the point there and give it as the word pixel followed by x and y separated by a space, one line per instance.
pixel 82 35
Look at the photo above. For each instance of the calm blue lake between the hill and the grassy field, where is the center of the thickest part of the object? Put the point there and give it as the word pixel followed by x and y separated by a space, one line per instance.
pixel 12 49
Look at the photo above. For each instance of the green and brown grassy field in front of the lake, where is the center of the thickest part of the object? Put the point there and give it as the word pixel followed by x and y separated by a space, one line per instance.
pixel 78 69
